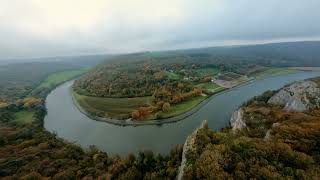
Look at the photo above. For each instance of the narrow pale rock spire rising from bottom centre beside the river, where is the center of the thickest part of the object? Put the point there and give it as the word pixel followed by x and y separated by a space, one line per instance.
pixel 189 147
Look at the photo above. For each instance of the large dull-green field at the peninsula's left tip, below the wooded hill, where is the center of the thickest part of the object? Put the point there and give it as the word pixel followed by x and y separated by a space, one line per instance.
pixel 119 108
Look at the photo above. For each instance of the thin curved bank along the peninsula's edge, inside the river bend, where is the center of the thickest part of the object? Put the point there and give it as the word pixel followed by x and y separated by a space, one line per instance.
pixel 129 122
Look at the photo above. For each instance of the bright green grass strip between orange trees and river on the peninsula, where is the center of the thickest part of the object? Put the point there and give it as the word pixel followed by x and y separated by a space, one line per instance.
pixel 182 107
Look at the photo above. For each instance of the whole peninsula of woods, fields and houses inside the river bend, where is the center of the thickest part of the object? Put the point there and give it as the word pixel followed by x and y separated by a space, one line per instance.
pixel 162 85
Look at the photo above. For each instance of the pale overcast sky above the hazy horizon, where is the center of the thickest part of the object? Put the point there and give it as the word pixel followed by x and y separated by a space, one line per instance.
pixel 37 28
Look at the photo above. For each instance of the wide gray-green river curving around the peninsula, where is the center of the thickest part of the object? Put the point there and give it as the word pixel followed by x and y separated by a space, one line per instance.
pixel 69 123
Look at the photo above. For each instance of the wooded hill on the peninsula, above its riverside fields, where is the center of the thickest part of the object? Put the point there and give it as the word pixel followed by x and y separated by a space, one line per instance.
pixel 136 75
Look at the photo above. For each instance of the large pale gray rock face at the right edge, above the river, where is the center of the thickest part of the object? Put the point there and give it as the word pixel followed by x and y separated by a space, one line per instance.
pixel 298 97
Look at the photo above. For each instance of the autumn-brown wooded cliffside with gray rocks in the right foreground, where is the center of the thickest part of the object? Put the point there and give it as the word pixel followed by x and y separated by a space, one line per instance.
pixel 266 140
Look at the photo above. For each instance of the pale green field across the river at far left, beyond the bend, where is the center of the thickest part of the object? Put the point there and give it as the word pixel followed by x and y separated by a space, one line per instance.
pixel 59 77
